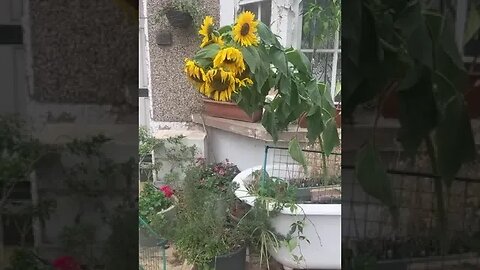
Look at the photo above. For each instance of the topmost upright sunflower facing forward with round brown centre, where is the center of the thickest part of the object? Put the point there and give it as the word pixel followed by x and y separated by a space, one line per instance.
pixel 245 29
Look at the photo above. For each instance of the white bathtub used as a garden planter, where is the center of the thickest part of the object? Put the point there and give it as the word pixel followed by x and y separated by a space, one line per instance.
pixel 322 228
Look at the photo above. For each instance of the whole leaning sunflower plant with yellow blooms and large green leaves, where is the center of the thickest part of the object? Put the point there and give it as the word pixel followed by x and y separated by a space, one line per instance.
pixel 243 62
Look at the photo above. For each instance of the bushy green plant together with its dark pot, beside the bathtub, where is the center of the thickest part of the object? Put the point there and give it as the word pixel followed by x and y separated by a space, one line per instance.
pixel 225 246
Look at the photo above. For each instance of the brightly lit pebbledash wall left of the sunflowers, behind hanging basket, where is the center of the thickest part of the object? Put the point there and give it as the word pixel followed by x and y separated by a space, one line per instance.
pixel 173 97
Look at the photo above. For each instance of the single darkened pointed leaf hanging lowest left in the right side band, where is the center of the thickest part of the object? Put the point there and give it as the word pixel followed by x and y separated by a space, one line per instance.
pixel 372 176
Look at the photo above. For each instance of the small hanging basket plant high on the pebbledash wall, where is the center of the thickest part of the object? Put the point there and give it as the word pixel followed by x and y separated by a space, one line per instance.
pixel 181 13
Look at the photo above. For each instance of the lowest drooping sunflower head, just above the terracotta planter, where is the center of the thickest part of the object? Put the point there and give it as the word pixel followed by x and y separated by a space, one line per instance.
pixel 220 84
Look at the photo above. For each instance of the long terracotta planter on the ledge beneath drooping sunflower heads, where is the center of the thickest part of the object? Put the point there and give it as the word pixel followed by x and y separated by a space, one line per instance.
pixel 229 110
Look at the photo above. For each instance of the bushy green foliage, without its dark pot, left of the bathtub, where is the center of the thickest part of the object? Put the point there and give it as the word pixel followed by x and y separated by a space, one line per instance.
pixel 201 210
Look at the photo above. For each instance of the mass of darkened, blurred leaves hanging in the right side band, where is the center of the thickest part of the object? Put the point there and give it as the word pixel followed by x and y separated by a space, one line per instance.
pixel 400 48
